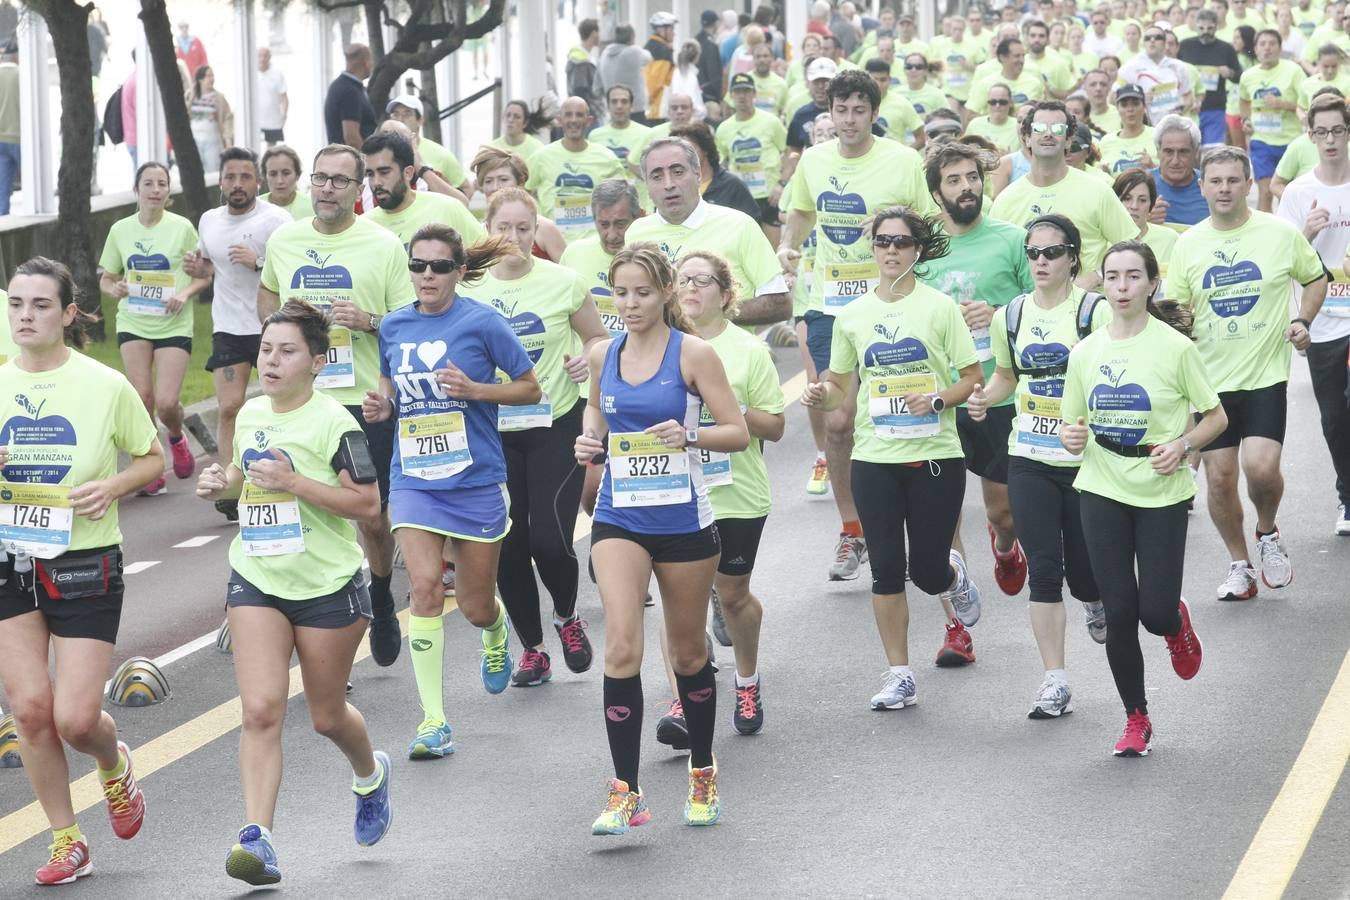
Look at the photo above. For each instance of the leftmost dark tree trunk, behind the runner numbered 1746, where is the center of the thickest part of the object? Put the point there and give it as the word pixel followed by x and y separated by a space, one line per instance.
pixel 67 22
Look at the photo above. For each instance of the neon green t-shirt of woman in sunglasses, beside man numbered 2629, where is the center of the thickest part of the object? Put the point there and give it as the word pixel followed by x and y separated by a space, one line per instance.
pixel 904 347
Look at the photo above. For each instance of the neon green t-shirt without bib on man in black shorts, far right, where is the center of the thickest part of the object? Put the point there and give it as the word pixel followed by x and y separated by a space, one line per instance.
pixel 1243 306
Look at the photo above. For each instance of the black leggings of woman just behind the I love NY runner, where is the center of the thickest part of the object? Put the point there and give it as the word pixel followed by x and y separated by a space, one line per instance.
pixel 546 492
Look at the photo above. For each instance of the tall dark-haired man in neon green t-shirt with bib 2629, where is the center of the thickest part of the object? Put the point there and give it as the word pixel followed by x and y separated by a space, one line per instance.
pixel 847 180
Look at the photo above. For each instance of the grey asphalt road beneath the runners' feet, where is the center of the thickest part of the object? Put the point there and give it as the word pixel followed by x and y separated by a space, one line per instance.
pixel 961 797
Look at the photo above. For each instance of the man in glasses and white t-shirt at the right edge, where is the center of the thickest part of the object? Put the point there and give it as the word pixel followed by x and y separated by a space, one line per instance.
pixel 1320 204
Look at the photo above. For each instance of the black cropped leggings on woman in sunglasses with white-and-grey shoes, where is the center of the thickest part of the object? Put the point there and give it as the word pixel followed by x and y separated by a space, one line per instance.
pixel 924 501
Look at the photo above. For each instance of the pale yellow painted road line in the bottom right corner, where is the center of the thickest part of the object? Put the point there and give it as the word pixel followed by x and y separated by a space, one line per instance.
pixel 1283 837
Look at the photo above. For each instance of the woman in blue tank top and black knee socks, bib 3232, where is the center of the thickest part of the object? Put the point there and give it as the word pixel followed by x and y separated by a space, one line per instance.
pixel 657 520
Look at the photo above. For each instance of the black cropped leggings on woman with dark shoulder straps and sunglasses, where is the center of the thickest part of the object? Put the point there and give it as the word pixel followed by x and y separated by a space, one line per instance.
pixel 1046 509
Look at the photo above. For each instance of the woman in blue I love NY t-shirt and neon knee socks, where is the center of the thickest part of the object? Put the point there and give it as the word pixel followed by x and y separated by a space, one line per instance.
pixel 449 477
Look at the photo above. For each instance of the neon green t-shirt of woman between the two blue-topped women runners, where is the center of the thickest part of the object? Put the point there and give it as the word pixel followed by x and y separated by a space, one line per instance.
pixel 539 307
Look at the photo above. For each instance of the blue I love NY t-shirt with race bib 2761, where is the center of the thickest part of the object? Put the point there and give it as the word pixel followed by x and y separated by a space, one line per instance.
pixel 433 427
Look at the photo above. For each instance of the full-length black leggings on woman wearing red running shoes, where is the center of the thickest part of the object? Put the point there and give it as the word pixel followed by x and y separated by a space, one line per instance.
pixel 1120 539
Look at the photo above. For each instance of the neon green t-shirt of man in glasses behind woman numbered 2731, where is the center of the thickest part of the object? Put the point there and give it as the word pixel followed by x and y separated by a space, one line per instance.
pixel 367 265
